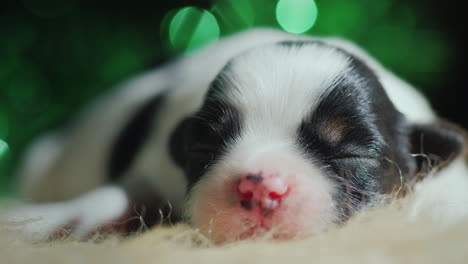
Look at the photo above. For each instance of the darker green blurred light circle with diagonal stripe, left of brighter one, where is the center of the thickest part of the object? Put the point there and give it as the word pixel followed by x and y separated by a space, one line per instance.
pixel 191 28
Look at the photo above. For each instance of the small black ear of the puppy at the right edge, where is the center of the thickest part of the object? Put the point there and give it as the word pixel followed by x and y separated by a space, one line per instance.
pixel 436 145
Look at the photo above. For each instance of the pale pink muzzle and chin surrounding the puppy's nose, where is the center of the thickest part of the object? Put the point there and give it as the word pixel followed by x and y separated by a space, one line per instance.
pixel 219 211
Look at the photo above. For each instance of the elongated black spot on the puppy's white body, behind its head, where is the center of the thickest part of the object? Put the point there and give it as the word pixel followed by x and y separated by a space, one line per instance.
pixel 132 137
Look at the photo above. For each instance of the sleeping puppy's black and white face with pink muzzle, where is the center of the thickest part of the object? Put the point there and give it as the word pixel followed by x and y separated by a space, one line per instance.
pixel 292 137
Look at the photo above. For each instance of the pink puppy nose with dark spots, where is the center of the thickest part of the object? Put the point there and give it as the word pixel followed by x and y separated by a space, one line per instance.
pixel 256 190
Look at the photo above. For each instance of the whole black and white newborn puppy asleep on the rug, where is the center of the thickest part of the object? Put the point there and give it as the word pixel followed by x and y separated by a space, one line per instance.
pixel 260 132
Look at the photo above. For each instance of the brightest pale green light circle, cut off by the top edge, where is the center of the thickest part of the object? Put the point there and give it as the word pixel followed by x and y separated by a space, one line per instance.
pixel 296 16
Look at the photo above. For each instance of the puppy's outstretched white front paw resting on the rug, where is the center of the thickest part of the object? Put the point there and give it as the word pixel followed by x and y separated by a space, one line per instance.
pixel 78 218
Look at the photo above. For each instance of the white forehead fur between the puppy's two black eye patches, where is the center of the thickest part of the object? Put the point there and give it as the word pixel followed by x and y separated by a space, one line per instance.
pixel 275 87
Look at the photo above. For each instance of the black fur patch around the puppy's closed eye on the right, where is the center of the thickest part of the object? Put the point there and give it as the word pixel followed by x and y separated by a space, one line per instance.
pixel 349 132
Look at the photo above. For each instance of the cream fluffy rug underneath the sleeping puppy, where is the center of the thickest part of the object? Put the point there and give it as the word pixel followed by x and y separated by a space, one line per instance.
pixel 428 226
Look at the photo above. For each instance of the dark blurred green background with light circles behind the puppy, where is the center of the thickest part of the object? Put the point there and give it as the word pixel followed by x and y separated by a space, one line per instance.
pixel 57 55
